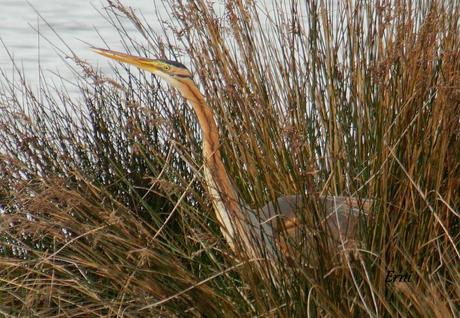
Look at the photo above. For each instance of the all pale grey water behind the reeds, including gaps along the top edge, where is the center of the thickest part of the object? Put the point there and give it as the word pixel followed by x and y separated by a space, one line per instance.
pixel 29 30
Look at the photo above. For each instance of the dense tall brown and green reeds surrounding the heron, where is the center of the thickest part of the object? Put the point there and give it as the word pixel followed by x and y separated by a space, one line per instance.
pixel 104 212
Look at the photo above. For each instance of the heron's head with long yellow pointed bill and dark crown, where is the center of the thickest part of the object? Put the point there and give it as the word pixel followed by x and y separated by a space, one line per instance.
pixel 173 72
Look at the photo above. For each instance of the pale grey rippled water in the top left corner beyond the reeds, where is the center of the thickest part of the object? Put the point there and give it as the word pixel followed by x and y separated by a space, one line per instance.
pixel 74 21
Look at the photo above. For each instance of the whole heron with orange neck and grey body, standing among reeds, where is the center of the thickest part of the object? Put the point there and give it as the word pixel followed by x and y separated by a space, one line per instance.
pixel 264 233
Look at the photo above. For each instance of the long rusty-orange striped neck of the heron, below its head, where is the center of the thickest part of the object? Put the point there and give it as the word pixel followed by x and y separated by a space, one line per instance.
pixel 234 219
